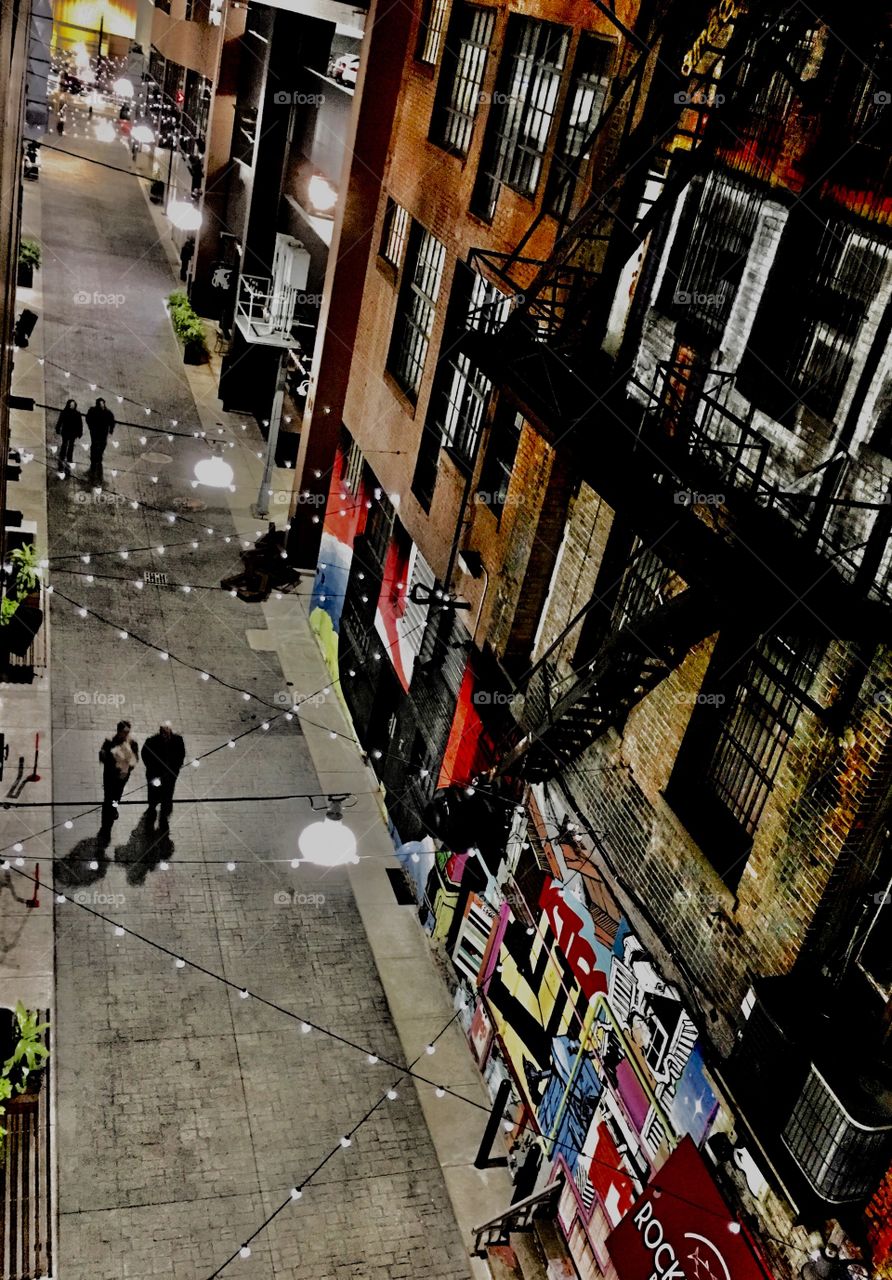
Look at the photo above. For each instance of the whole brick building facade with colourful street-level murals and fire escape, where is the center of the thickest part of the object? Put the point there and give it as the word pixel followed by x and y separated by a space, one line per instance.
pixel 603 522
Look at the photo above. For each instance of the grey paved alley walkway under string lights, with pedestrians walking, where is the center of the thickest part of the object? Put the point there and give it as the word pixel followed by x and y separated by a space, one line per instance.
pixel 185 1112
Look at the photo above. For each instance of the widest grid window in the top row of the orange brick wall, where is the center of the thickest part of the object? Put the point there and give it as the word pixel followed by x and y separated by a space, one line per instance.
pixel 520 124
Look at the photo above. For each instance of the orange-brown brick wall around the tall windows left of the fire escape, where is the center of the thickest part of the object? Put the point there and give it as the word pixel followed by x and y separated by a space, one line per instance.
pixel 436 188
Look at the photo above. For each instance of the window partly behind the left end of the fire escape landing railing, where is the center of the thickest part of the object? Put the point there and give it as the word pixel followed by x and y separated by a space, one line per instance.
pixel 461 391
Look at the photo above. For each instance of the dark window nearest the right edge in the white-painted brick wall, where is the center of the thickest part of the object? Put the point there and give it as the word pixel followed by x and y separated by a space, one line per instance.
pixel 818 295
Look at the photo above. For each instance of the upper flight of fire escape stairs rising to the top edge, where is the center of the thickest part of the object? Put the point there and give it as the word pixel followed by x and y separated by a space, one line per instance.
pixel 548 353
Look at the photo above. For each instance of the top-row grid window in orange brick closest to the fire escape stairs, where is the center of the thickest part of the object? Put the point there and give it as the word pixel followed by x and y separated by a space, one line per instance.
pixel 585 104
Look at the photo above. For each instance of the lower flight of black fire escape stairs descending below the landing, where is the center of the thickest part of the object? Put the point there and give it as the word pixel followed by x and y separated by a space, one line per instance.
pixel 629 666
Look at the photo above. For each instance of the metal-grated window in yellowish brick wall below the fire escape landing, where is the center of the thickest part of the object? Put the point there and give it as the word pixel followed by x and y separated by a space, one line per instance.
pixel 758 728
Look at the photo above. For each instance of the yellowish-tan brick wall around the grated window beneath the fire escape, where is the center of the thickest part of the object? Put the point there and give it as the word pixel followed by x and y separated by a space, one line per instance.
pixel 817 831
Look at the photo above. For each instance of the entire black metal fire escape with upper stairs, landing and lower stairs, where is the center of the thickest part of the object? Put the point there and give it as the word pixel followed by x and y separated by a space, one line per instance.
pixel 648 449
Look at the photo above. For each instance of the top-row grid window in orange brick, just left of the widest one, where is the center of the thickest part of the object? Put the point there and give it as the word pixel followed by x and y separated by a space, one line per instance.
pixel 461 77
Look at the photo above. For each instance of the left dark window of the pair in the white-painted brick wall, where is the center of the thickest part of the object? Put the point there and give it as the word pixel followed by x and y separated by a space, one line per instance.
pixel 710 253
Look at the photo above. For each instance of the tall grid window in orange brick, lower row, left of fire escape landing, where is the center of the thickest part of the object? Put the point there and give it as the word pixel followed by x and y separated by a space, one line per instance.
pixel 417 309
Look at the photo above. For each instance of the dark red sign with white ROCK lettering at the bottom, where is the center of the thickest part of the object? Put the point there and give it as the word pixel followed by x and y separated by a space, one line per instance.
pixel 681 1229
